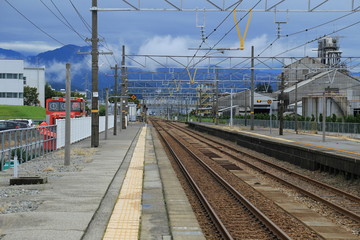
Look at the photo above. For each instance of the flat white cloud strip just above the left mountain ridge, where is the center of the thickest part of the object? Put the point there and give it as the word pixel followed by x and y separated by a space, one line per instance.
pixel 28 47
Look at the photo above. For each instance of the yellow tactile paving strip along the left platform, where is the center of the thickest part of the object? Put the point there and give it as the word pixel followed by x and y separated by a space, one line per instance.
pixel 124 222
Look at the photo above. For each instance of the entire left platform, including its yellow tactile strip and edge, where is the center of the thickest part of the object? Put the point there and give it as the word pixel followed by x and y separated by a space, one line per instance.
pixel 126 190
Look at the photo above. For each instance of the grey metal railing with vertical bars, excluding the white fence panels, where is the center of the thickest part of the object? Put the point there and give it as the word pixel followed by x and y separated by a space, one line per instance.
pixel 26 143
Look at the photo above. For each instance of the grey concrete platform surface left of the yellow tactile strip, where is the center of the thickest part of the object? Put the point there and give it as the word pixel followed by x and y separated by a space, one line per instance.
pixel 68 202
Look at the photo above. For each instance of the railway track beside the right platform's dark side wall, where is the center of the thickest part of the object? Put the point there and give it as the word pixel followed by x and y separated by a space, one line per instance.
pixel 343 202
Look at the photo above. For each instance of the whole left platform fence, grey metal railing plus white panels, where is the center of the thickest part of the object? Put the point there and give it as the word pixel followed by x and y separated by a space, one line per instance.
pixel 29 143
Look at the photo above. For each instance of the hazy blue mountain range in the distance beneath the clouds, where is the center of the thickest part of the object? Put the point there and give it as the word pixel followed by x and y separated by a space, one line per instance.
pixel 54 62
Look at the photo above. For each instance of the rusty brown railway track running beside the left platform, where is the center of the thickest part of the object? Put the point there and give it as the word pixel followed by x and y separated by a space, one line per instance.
pixel 234 215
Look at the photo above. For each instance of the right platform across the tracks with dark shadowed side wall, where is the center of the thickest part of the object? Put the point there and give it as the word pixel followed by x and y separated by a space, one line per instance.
pixel 333 153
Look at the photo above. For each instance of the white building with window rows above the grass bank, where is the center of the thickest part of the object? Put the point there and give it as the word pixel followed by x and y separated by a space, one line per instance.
pixel 14 76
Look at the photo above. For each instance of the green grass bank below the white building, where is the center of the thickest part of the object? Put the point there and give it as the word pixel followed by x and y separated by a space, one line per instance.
pixel 29 112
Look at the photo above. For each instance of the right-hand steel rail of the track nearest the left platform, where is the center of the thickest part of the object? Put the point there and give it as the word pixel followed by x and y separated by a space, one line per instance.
pixel 240 198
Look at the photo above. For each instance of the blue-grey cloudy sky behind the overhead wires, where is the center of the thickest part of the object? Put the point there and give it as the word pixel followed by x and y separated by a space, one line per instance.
pixel 34 26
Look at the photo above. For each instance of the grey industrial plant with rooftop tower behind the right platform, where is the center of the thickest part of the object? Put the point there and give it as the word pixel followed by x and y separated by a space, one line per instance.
pixel 308 82
